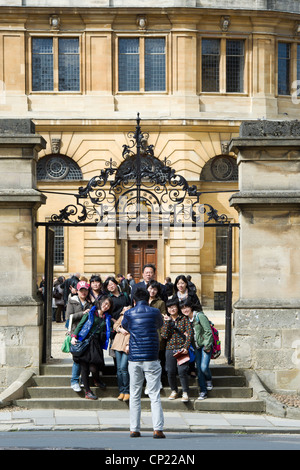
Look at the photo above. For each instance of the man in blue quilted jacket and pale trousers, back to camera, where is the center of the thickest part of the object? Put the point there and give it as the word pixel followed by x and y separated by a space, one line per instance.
pixel 142 322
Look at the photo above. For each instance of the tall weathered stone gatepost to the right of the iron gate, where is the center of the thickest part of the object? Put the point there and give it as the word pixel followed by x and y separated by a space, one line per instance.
pixel 266 333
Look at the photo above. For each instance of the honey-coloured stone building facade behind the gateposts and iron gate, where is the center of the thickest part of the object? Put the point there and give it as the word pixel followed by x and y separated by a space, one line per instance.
pixel 194 71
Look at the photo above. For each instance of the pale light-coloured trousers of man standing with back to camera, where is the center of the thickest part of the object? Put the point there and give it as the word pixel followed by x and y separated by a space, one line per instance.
pixel 151 370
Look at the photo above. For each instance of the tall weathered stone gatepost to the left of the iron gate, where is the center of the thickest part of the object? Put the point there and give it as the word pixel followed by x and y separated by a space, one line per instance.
pixel 20 309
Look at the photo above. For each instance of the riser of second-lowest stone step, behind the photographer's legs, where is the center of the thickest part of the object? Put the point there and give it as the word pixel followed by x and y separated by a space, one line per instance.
pixel 67 392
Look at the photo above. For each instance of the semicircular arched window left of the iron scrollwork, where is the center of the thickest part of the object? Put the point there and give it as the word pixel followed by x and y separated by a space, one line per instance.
pixel 57 167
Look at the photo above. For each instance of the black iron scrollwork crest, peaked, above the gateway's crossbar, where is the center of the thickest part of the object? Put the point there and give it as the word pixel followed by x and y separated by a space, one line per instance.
pixel 142 181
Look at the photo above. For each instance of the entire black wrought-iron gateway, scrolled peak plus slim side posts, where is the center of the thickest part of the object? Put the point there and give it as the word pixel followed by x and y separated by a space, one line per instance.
pixel 143 192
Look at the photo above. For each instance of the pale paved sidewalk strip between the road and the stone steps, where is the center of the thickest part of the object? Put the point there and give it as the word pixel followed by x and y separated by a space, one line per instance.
pixel 102 420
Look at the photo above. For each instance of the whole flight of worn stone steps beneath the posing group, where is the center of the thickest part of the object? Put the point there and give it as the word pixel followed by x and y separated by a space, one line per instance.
pixel 51 390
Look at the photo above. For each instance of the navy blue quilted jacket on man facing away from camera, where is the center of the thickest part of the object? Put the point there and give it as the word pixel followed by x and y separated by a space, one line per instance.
pixel 142 322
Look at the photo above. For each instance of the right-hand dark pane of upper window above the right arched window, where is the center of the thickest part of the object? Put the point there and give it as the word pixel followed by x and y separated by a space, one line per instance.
pixel 234 66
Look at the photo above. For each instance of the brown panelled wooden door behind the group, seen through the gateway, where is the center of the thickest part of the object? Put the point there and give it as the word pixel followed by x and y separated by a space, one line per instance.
pixel 140 253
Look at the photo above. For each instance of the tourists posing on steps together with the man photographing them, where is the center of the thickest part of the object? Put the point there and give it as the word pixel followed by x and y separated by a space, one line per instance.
pixel 149 328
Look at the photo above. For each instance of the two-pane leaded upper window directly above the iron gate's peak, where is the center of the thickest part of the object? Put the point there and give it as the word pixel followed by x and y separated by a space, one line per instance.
pixel 146 53
